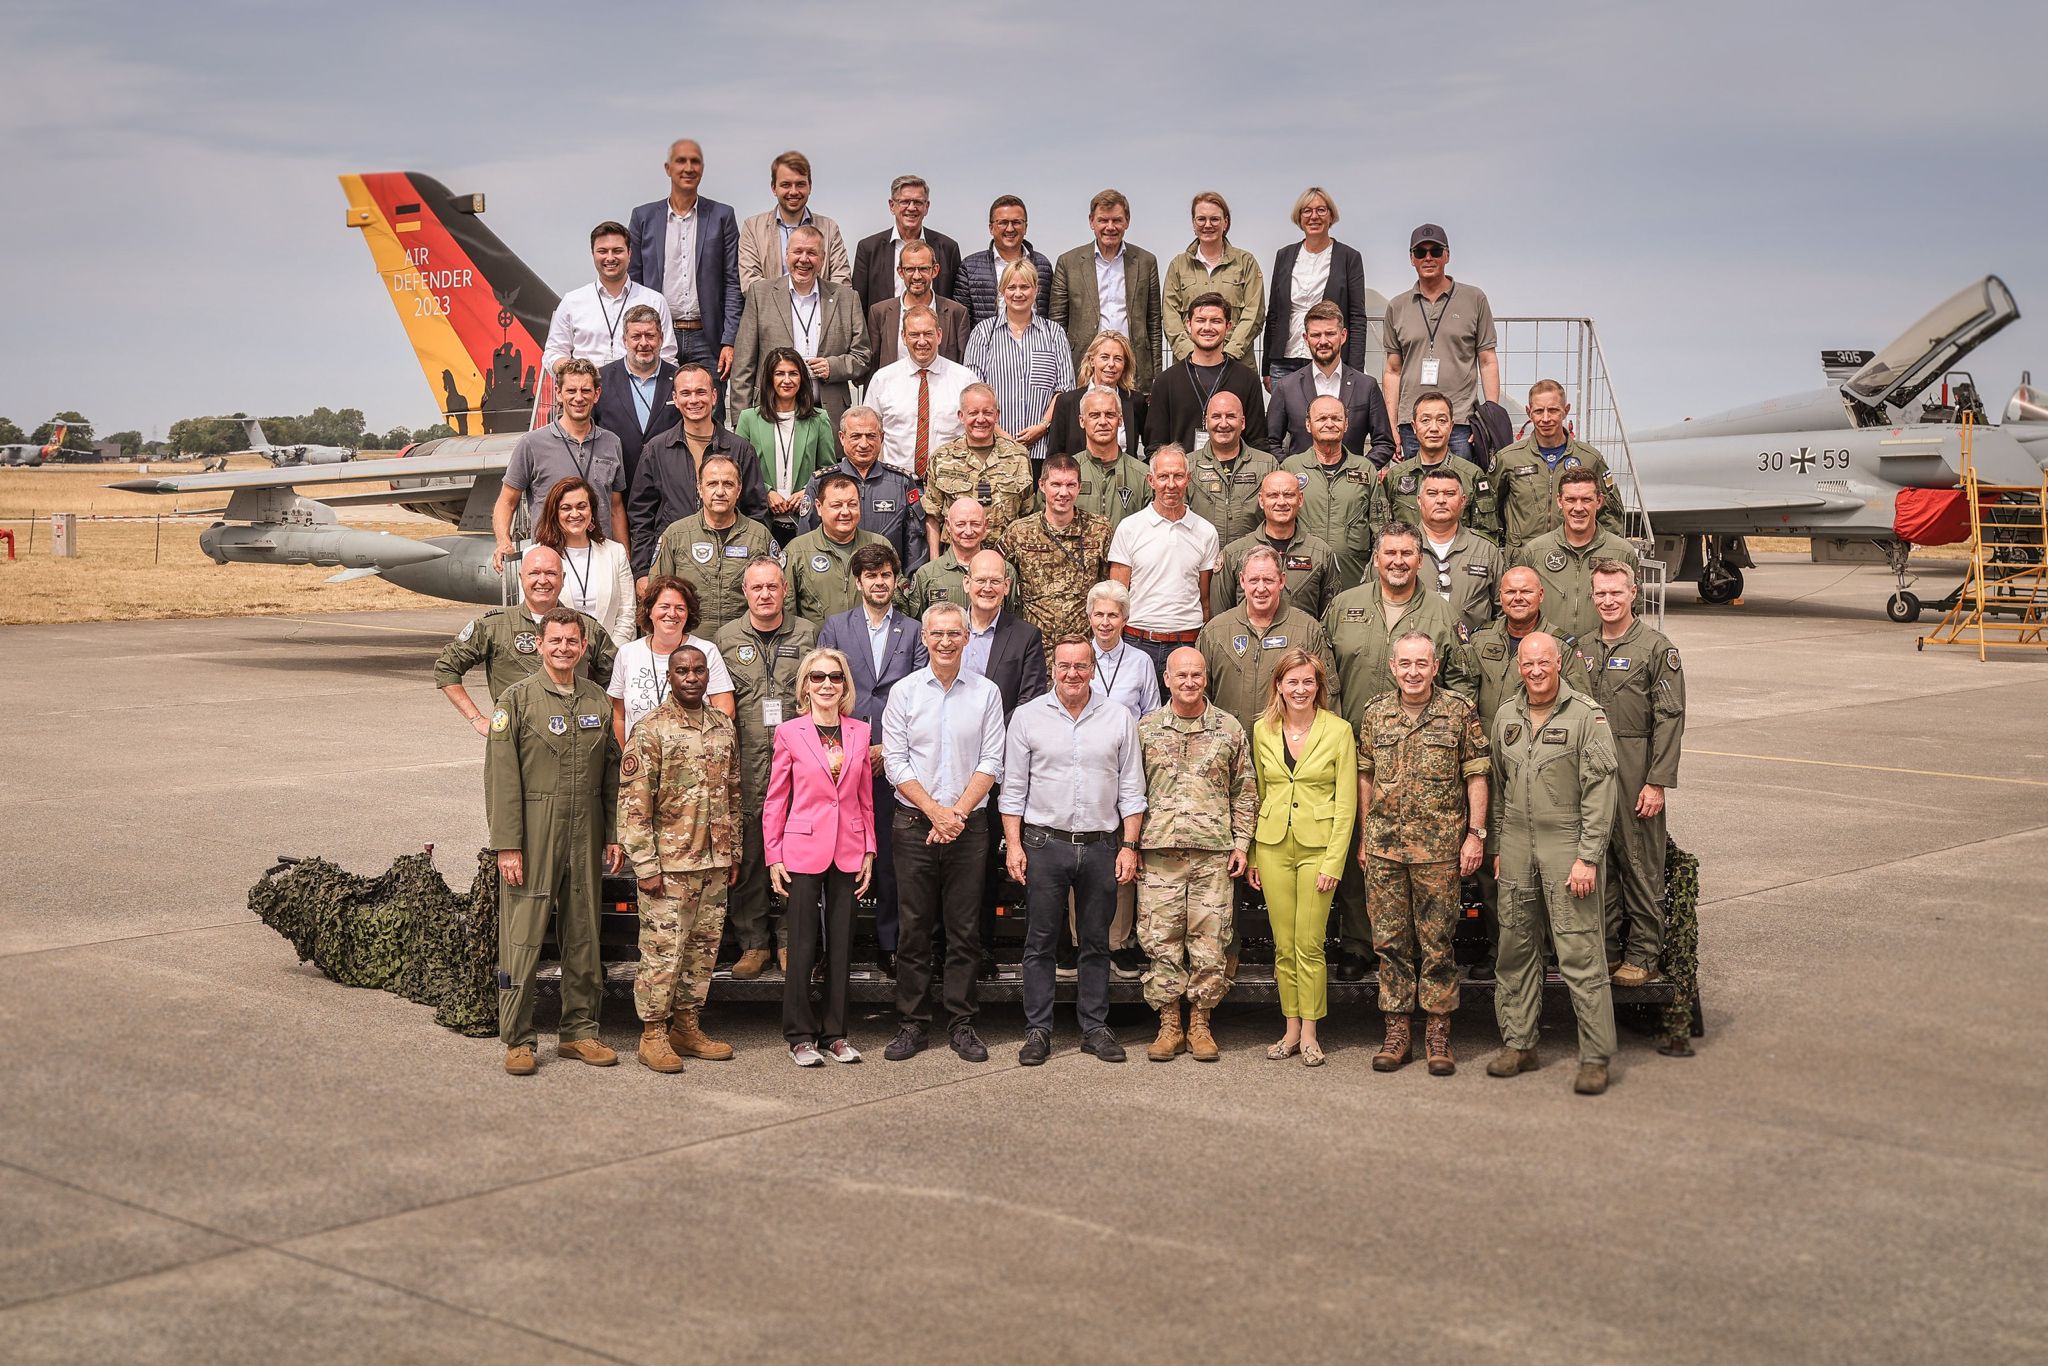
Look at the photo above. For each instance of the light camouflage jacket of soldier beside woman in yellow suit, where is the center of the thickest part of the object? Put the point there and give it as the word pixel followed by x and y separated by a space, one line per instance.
pixel 1201 792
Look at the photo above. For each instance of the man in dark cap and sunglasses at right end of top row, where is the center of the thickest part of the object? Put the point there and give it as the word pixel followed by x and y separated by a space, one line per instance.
pixel 1439 337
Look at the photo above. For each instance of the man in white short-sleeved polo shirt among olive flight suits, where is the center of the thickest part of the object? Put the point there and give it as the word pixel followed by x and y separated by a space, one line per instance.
pixel 1164 554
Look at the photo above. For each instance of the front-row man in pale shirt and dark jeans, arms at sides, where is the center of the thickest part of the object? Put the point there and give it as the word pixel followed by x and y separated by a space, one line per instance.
pixel 1072 806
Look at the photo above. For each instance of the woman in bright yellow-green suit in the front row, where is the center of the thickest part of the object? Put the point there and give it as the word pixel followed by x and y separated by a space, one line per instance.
pixel 1308 765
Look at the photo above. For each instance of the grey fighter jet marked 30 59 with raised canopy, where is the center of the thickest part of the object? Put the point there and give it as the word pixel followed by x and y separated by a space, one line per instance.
pixel 1834 464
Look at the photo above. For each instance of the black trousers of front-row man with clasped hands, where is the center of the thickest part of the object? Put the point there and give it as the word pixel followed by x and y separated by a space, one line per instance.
pixel 939 886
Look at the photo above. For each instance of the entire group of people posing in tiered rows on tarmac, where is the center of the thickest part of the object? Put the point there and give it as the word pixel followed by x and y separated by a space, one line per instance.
pixel 1037 607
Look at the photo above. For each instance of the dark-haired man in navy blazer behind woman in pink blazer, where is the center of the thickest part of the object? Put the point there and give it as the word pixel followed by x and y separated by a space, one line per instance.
pixel 861 634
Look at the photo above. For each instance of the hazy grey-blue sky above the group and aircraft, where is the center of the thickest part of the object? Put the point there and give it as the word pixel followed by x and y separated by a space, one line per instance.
pixel 1723 189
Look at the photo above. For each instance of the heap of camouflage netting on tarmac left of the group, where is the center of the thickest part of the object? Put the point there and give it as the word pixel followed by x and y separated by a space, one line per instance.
pixel 402 931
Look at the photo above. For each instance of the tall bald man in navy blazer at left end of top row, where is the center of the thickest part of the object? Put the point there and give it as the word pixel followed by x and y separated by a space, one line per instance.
pixel 706 310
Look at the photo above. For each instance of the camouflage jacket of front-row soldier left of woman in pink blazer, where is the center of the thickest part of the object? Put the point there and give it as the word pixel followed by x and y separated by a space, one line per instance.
pixel 679 792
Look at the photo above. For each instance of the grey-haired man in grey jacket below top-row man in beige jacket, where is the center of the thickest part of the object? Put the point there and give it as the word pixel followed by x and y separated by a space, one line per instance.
pixel 818 318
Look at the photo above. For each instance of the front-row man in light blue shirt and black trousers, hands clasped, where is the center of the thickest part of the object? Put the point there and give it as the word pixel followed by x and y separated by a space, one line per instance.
pixel 943 751
